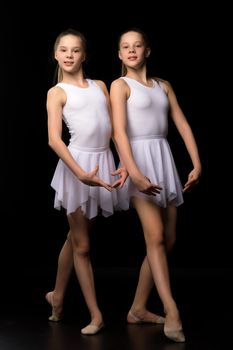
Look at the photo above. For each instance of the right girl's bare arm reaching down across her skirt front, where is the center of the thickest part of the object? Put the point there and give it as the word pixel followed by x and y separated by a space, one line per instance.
pixel 119 93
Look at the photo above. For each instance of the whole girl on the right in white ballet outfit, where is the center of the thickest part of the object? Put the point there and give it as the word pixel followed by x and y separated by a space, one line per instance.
pixel 140 107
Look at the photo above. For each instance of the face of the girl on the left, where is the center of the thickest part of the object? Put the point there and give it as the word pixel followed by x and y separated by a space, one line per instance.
pixel 70 53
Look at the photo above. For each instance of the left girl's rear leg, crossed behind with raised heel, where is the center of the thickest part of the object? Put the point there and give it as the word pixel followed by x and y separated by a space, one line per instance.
pixel 65 266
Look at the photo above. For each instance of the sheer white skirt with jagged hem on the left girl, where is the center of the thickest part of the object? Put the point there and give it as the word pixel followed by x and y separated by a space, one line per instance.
pixel 71 193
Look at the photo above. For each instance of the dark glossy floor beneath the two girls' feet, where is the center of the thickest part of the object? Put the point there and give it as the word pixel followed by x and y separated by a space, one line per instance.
pixel 204 297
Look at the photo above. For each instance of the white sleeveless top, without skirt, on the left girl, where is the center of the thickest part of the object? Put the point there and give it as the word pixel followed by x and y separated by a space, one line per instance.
pixel 86 116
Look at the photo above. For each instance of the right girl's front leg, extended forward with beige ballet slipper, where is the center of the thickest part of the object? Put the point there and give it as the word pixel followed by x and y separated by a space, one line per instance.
pixel 152 223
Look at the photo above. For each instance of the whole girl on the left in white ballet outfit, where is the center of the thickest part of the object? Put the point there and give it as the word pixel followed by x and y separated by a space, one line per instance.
pixel 82 179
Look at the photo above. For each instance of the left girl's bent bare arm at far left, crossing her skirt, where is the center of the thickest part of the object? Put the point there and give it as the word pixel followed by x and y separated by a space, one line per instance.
pixel 56 99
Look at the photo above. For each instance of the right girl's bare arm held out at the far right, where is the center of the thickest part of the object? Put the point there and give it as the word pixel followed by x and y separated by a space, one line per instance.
pixel 186 133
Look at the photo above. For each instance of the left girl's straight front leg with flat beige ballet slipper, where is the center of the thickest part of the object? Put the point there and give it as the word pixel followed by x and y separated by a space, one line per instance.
pixel 79 226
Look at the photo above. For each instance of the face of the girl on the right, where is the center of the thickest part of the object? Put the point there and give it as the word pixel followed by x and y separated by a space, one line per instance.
pixel 132 50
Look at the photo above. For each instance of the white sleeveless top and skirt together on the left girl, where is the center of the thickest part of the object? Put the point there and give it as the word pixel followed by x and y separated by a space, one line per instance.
pixel 87 118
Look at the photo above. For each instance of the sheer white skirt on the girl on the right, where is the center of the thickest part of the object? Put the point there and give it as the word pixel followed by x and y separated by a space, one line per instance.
pixel 155 160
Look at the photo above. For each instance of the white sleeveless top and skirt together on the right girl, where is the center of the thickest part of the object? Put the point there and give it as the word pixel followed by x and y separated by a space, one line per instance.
pixel 147 126
